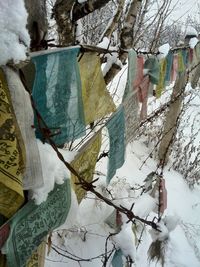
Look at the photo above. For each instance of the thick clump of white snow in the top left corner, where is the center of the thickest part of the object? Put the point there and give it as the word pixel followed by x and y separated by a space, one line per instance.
pixel 14 37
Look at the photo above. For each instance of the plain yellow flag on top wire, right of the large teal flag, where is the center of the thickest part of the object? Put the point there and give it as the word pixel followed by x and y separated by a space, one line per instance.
pixel 97 101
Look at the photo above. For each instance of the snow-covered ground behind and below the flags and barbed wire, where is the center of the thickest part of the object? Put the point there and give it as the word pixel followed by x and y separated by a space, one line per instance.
pixel 88 225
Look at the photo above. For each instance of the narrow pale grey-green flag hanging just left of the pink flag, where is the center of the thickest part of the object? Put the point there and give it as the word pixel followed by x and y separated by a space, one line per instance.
pixel 131 75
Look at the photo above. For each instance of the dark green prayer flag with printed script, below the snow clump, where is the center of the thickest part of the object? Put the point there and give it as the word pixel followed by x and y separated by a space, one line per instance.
pixel 31 224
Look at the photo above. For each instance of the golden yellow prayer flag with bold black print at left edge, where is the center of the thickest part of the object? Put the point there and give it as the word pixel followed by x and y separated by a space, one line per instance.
pixel 11 155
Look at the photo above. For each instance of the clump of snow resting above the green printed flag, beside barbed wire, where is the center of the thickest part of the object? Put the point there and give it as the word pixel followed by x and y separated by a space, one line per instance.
pixel 54 171
